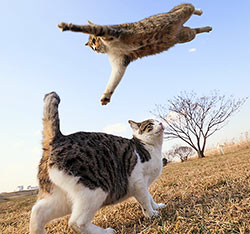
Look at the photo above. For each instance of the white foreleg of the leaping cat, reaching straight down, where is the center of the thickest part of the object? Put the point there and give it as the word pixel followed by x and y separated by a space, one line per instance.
pixel 119 65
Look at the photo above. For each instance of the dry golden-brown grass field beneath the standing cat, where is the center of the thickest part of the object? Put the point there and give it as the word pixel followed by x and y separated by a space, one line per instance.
pixel 210 195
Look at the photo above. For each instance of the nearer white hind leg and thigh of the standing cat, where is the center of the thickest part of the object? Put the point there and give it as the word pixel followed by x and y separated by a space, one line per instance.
pixel 85 202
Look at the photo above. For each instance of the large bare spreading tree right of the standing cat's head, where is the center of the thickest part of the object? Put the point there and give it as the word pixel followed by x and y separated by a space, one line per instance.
pixel 193 119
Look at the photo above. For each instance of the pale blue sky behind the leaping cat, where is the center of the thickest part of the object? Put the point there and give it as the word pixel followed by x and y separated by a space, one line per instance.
pixel 36 58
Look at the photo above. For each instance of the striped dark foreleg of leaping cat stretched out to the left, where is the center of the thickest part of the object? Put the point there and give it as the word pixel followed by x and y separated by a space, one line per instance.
pixel 94 29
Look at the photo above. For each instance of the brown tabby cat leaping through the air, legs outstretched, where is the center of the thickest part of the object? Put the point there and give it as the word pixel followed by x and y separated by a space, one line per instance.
pixel 125 43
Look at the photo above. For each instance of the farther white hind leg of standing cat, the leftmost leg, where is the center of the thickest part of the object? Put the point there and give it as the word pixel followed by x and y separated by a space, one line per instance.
pixel 52 206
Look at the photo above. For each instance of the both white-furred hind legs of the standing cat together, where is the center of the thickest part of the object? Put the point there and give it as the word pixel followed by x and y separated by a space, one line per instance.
pixel 72 198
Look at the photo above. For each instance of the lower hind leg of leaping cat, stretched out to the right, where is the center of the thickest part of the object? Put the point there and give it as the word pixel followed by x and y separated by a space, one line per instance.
pixel 188 34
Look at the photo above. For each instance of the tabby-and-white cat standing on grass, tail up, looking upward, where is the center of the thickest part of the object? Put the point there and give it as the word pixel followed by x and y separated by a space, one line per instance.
pixel 82 172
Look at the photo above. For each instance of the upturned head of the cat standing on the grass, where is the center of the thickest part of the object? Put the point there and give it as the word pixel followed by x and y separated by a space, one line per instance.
pixel 149 131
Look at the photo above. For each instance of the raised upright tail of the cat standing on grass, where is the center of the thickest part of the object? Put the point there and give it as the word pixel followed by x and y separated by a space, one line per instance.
pixel 51 122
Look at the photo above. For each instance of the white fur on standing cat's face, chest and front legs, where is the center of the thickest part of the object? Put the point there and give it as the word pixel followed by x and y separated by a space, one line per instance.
pixel 145 173
